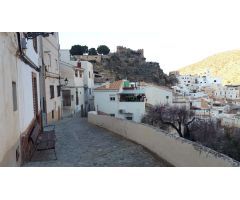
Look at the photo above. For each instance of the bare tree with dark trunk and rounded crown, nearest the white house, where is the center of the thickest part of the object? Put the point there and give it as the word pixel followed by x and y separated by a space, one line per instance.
pixel 179 118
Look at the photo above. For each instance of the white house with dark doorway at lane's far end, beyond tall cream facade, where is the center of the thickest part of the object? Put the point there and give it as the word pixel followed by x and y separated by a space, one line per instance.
pixel 72 89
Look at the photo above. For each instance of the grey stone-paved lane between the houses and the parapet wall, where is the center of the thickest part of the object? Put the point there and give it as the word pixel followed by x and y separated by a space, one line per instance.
pixel 82 144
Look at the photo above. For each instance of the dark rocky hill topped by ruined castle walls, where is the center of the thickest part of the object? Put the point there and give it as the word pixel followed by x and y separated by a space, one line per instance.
pixel 130 64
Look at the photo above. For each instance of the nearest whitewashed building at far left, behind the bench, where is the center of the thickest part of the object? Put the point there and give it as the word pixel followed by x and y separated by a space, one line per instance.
pixel 20 102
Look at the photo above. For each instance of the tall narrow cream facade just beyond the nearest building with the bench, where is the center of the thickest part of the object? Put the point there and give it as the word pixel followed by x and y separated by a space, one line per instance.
pixel 50 79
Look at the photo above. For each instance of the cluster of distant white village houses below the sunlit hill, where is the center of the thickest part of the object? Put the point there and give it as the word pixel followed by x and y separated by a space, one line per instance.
pixel 208 97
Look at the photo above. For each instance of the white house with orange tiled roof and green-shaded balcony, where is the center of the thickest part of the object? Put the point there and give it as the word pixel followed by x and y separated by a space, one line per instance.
pixel 120 99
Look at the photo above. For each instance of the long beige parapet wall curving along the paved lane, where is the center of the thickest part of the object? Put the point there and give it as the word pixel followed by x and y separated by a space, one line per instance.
pixel 175 150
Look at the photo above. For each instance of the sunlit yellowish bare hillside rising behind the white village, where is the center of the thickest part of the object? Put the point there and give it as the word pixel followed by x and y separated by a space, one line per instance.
pixel 225 65
